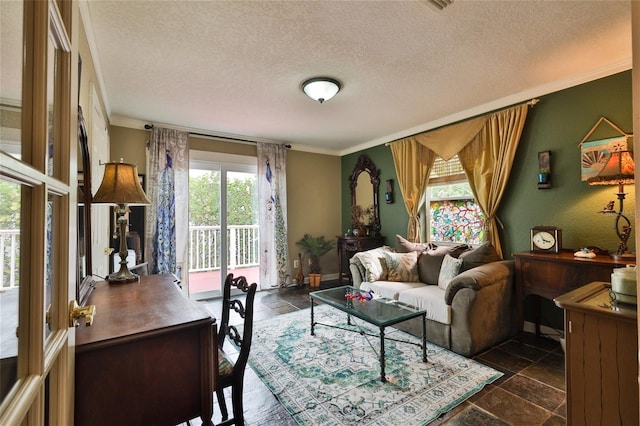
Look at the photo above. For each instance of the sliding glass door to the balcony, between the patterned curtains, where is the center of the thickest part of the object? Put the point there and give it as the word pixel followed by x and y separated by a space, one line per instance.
pixel 223 219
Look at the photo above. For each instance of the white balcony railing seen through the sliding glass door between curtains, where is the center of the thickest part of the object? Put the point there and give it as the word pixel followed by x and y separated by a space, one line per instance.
pixel 205 247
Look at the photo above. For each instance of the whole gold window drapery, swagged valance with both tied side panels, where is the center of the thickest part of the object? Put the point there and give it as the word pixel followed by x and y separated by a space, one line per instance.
pixel 486 147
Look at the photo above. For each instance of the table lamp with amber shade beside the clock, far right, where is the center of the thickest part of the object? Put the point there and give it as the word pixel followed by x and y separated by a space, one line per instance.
pixel 619 170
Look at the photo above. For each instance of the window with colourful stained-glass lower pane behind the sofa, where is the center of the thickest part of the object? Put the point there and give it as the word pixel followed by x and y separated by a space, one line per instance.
pixel 453 215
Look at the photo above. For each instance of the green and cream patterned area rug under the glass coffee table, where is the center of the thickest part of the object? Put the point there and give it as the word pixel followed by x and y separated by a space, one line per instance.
pixel 333 378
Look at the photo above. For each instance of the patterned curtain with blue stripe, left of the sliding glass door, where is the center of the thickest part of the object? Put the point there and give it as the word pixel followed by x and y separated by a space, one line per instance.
pixel 167 218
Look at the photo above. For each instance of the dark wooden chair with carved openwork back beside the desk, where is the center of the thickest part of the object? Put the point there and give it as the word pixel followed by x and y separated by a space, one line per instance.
pixel 230 372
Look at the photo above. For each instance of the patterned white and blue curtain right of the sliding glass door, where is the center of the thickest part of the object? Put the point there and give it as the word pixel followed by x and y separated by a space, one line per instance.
pixel 272 192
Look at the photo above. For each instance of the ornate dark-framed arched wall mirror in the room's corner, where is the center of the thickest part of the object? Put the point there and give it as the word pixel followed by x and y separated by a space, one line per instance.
pixel 363 214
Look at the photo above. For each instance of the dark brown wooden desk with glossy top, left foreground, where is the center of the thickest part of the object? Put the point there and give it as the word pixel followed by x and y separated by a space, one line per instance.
pixel 147 359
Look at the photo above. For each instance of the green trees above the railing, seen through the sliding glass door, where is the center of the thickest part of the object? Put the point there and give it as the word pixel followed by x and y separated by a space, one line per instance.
pixel 204 199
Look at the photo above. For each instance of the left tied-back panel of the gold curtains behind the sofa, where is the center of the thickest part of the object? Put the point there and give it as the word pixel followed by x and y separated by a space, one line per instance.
pixel 413 163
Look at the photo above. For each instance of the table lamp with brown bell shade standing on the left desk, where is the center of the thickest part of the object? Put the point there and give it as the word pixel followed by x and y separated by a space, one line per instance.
pixel 121 186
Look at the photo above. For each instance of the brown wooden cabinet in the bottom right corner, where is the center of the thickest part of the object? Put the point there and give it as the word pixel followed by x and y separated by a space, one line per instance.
pixel 601 361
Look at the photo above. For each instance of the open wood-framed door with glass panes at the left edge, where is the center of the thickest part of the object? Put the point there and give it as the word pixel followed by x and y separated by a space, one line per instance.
pixel 38 202
